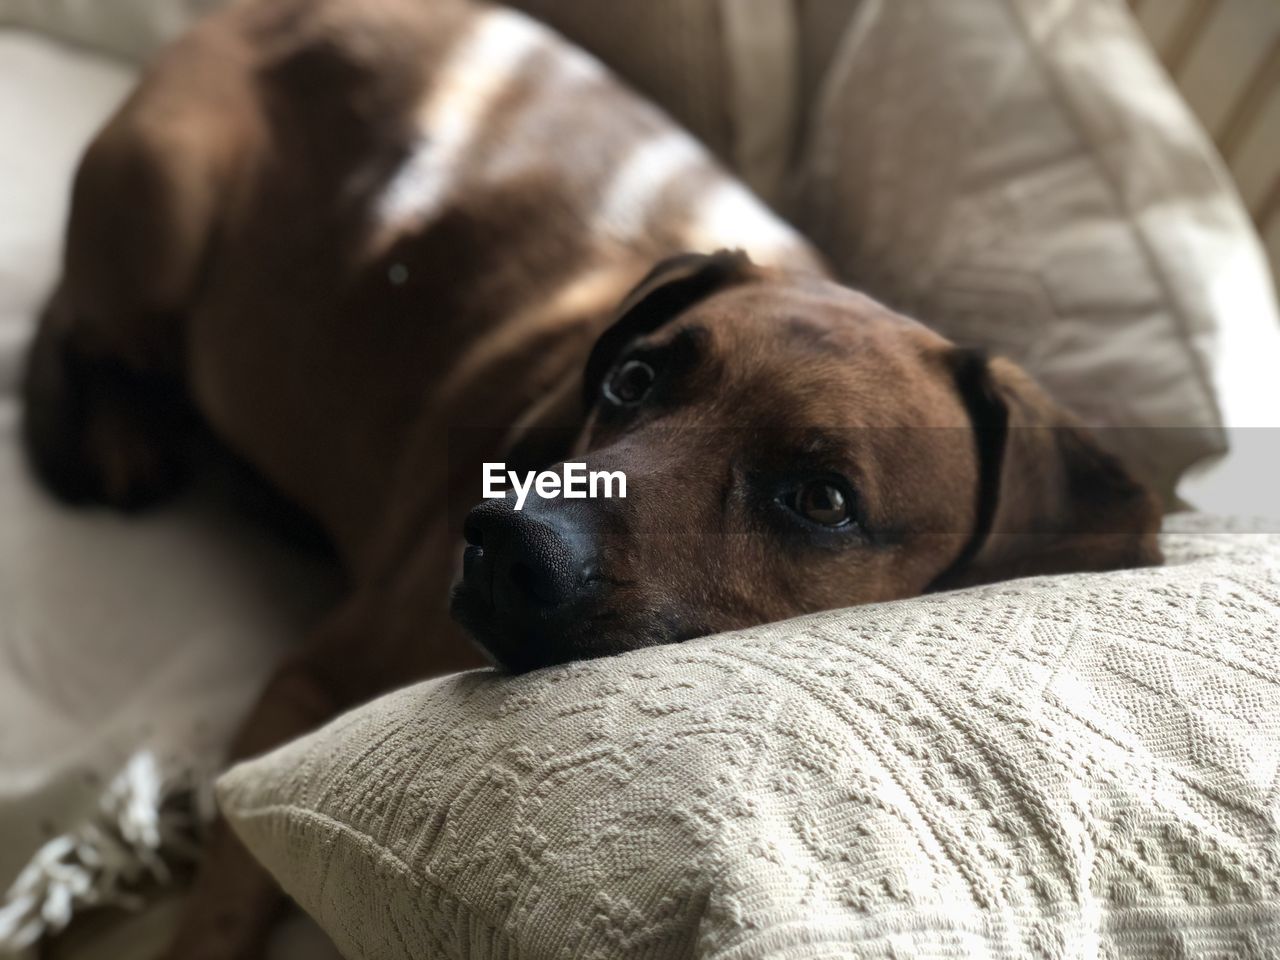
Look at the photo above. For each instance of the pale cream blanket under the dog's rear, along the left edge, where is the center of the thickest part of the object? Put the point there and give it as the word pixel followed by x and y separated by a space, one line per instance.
pixel 117 636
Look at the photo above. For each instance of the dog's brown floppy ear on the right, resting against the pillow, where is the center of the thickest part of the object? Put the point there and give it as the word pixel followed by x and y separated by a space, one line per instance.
pixel 1050 500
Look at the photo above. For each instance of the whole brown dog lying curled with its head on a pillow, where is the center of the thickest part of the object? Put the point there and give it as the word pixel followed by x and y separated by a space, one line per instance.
pixel 377 245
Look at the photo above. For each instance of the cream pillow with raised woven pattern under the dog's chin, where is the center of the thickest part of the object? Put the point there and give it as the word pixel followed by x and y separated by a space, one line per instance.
pixel 1069 767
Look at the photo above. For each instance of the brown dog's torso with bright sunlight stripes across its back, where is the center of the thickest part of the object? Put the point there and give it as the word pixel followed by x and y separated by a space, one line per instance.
pixel 396 205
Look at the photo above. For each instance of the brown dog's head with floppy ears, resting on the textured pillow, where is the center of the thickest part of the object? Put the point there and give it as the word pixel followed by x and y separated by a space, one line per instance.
pixel 789 446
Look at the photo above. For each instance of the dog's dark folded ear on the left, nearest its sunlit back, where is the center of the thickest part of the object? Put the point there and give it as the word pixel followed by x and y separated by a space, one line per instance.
pixel 669 290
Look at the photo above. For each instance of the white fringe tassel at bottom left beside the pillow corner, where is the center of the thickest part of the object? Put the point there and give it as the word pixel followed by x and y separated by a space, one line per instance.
pixel 148 824
